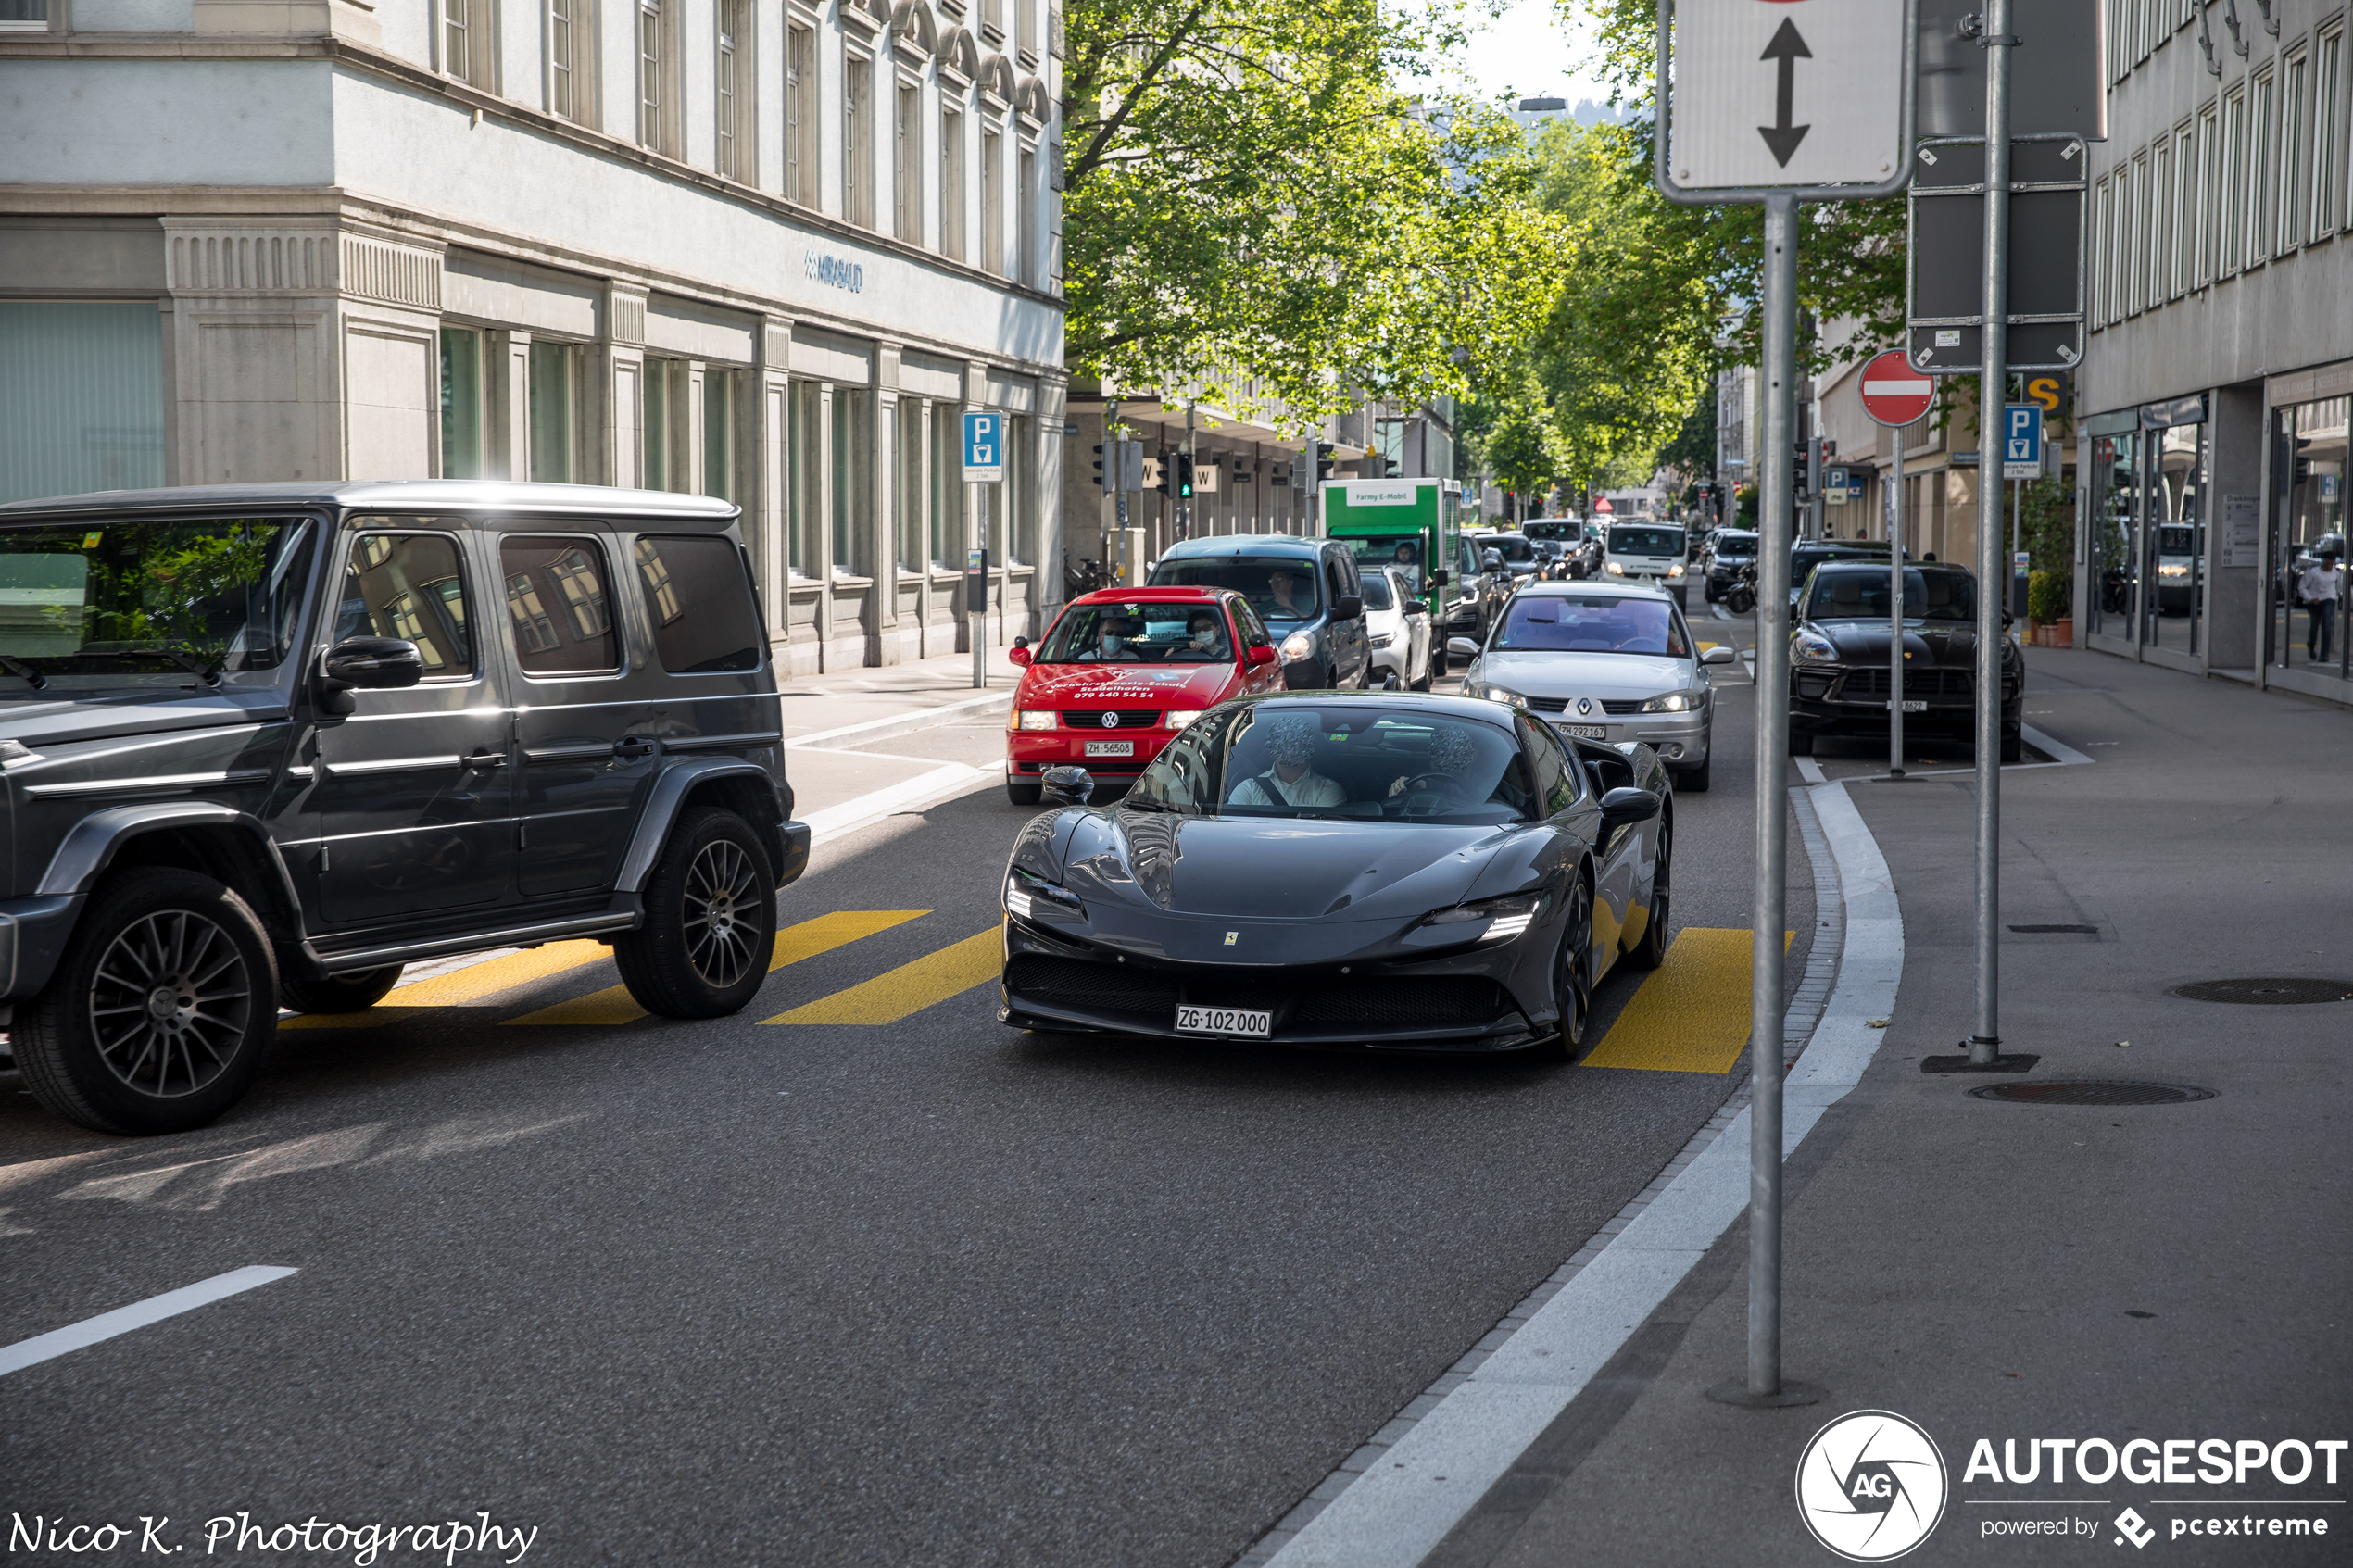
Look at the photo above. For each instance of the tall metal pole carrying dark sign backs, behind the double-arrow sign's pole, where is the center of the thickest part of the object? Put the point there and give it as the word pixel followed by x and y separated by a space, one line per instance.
pixel 1992 582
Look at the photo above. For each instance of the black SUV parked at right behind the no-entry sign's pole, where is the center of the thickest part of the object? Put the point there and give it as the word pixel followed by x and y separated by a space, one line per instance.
pixel 1839 669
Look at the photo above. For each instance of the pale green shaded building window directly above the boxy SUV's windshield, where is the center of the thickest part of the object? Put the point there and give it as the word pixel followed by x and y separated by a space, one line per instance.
pixel 84 396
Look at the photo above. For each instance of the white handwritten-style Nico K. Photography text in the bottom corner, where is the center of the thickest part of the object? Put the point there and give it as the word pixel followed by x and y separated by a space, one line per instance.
pixel 241 1536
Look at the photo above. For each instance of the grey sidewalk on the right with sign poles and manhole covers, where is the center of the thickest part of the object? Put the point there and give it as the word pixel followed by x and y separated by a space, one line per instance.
pixel 2020 1273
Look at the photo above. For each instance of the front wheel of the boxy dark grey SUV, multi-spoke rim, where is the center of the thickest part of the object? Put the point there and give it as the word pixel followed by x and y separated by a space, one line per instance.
pixel 161 1012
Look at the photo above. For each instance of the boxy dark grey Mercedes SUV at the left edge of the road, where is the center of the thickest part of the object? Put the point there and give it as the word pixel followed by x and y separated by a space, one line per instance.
pixel 262 746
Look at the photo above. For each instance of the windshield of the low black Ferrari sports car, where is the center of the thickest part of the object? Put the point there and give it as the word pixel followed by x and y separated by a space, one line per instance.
pixel 1385 765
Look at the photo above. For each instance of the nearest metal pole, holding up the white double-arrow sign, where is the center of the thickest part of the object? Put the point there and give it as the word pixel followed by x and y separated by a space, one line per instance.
pixel 1775 521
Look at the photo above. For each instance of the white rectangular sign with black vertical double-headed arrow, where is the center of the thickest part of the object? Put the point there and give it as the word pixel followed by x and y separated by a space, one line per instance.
pixel 1785 95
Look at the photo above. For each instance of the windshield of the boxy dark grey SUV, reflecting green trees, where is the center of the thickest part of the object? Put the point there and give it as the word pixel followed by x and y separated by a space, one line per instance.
pixel 154 601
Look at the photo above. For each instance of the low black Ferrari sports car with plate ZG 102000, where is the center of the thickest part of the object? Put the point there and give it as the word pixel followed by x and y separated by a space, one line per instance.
pixel 1317 869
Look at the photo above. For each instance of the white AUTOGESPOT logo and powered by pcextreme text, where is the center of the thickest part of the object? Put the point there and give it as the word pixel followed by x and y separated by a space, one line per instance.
pixel 1872 1487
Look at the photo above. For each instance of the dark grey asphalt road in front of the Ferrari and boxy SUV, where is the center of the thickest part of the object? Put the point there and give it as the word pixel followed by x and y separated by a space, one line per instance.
pixel 921 1292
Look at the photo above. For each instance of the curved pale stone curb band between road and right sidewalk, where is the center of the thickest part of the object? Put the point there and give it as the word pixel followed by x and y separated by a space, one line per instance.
pixel 1399 1510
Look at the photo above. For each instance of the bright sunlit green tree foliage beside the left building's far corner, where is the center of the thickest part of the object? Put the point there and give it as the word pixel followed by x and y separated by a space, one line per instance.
pixel 1253 206
